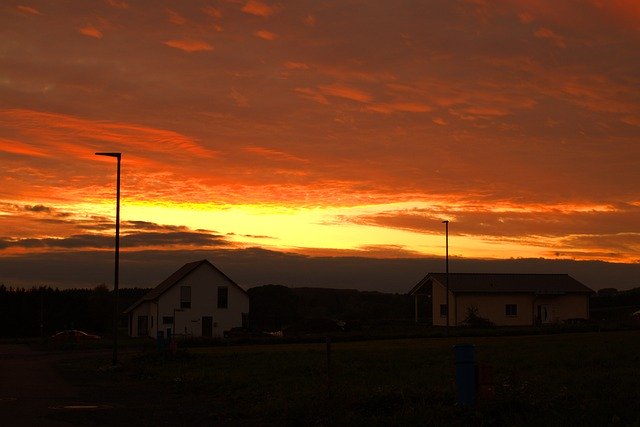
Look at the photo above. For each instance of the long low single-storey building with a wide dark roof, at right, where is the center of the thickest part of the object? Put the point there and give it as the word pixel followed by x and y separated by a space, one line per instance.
pixel 504 299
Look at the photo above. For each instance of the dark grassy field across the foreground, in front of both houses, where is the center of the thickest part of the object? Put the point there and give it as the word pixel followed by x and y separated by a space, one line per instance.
pixel 563 379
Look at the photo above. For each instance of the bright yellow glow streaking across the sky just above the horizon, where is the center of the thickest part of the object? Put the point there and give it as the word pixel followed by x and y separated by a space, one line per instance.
pixel 291 228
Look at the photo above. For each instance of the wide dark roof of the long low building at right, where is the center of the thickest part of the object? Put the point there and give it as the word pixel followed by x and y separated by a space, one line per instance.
pixel 506 283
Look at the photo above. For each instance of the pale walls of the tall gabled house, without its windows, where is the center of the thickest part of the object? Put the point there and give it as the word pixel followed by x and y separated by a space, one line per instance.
pixel 204 308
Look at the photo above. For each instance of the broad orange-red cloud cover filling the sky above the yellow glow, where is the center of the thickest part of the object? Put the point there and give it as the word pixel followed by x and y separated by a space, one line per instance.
pixel 485 111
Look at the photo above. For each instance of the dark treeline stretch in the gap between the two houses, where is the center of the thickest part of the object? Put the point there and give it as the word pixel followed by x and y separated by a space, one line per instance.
pixel 275 308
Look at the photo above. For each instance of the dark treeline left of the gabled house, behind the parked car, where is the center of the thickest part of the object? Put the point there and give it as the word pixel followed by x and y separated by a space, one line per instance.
pixel 45 310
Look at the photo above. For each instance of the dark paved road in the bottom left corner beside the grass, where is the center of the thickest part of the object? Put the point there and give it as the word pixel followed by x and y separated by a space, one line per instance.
pixel 31 392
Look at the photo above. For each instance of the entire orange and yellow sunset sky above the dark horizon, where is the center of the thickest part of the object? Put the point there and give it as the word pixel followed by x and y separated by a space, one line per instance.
pixel 320 129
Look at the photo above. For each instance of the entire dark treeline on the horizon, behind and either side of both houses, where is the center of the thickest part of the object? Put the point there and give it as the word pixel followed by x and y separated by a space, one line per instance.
pixel 46 310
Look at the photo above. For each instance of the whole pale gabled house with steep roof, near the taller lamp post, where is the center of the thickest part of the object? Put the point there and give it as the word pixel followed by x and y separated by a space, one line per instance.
pixel 198 300
